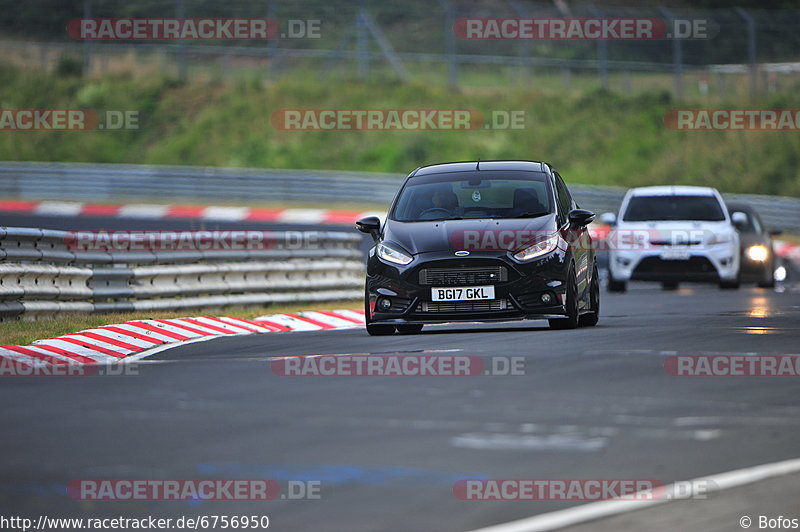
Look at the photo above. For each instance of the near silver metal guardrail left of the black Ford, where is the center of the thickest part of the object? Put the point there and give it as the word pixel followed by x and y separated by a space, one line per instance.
pixel 45 272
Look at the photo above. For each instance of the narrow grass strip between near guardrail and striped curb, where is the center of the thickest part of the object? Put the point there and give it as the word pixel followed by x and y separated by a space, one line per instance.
pixel 25 332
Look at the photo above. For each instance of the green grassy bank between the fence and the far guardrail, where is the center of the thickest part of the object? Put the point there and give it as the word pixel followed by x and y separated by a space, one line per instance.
pixel 591 136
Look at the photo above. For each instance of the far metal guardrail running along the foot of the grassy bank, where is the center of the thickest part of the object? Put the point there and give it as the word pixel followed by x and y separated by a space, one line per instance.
pixel 109 182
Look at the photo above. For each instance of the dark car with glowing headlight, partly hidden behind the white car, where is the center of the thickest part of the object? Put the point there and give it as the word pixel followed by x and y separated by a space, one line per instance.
pixel 758 254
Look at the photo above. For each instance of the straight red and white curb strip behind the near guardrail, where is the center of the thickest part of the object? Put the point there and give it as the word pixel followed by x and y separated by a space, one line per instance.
pixel 195 212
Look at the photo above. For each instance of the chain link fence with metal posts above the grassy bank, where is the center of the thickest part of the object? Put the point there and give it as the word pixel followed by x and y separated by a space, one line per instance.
pixel 751 50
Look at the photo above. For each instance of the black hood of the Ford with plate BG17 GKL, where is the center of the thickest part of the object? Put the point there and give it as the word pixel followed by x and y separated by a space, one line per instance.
pixel 455 235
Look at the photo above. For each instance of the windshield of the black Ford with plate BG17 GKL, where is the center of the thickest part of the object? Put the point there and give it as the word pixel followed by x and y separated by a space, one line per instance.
pixel 479 194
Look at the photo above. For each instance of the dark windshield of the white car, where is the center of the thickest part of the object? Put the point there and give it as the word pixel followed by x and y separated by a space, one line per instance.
pixel 663 208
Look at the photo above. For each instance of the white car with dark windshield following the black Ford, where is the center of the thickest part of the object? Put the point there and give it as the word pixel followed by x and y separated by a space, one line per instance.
pixel 670 234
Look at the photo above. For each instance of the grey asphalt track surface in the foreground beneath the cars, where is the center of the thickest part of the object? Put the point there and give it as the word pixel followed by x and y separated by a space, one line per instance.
pixel 593 403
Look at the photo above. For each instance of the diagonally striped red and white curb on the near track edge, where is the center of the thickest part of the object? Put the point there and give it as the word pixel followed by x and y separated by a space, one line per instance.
pixel 134 340
